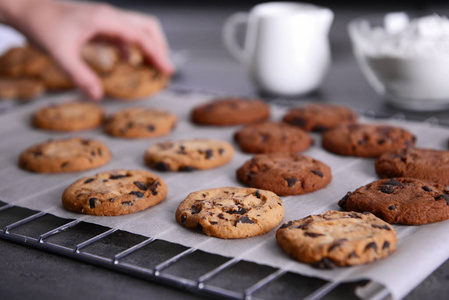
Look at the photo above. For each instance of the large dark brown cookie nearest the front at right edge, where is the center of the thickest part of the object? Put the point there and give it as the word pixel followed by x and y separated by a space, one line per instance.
pixel 400 201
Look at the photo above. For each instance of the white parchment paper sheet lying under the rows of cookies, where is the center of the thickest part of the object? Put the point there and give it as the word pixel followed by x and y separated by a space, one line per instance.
pixel 421 249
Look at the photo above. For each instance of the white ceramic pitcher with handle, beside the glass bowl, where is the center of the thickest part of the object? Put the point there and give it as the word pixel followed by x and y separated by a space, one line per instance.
pixel 286 49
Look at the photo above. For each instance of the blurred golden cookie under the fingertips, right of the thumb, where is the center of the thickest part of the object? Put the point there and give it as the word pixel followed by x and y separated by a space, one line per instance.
pixel 128 82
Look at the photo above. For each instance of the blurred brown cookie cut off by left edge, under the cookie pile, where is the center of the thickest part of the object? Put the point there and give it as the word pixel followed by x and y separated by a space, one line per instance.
pixel 23 89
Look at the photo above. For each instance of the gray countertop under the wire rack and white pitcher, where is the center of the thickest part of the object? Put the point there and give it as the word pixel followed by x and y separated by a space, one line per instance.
pixel 27 273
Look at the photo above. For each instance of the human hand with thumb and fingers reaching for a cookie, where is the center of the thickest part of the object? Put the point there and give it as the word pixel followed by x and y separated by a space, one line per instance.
pixel 62 28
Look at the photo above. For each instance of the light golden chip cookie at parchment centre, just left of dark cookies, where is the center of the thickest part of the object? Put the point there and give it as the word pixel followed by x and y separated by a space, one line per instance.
pixel 189 155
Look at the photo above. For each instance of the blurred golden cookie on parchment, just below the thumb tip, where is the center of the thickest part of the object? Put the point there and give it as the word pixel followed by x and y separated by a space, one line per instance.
pixel 69 116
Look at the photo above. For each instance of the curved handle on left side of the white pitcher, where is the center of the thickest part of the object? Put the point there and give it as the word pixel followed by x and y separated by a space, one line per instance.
pixel 229 35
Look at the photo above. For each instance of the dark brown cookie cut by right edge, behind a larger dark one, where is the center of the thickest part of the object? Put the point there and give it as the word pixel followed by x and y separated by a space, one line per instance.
pixel 425 164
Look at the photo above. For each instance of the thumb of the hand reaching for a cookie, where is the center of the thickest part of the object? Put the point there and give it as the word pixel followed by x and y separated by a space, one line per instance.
pixel 81 74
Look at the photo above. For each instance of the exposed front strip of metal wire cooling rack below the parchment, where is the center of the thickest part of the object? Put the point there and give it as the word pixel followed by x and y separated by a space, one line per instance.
pixel 163 262
